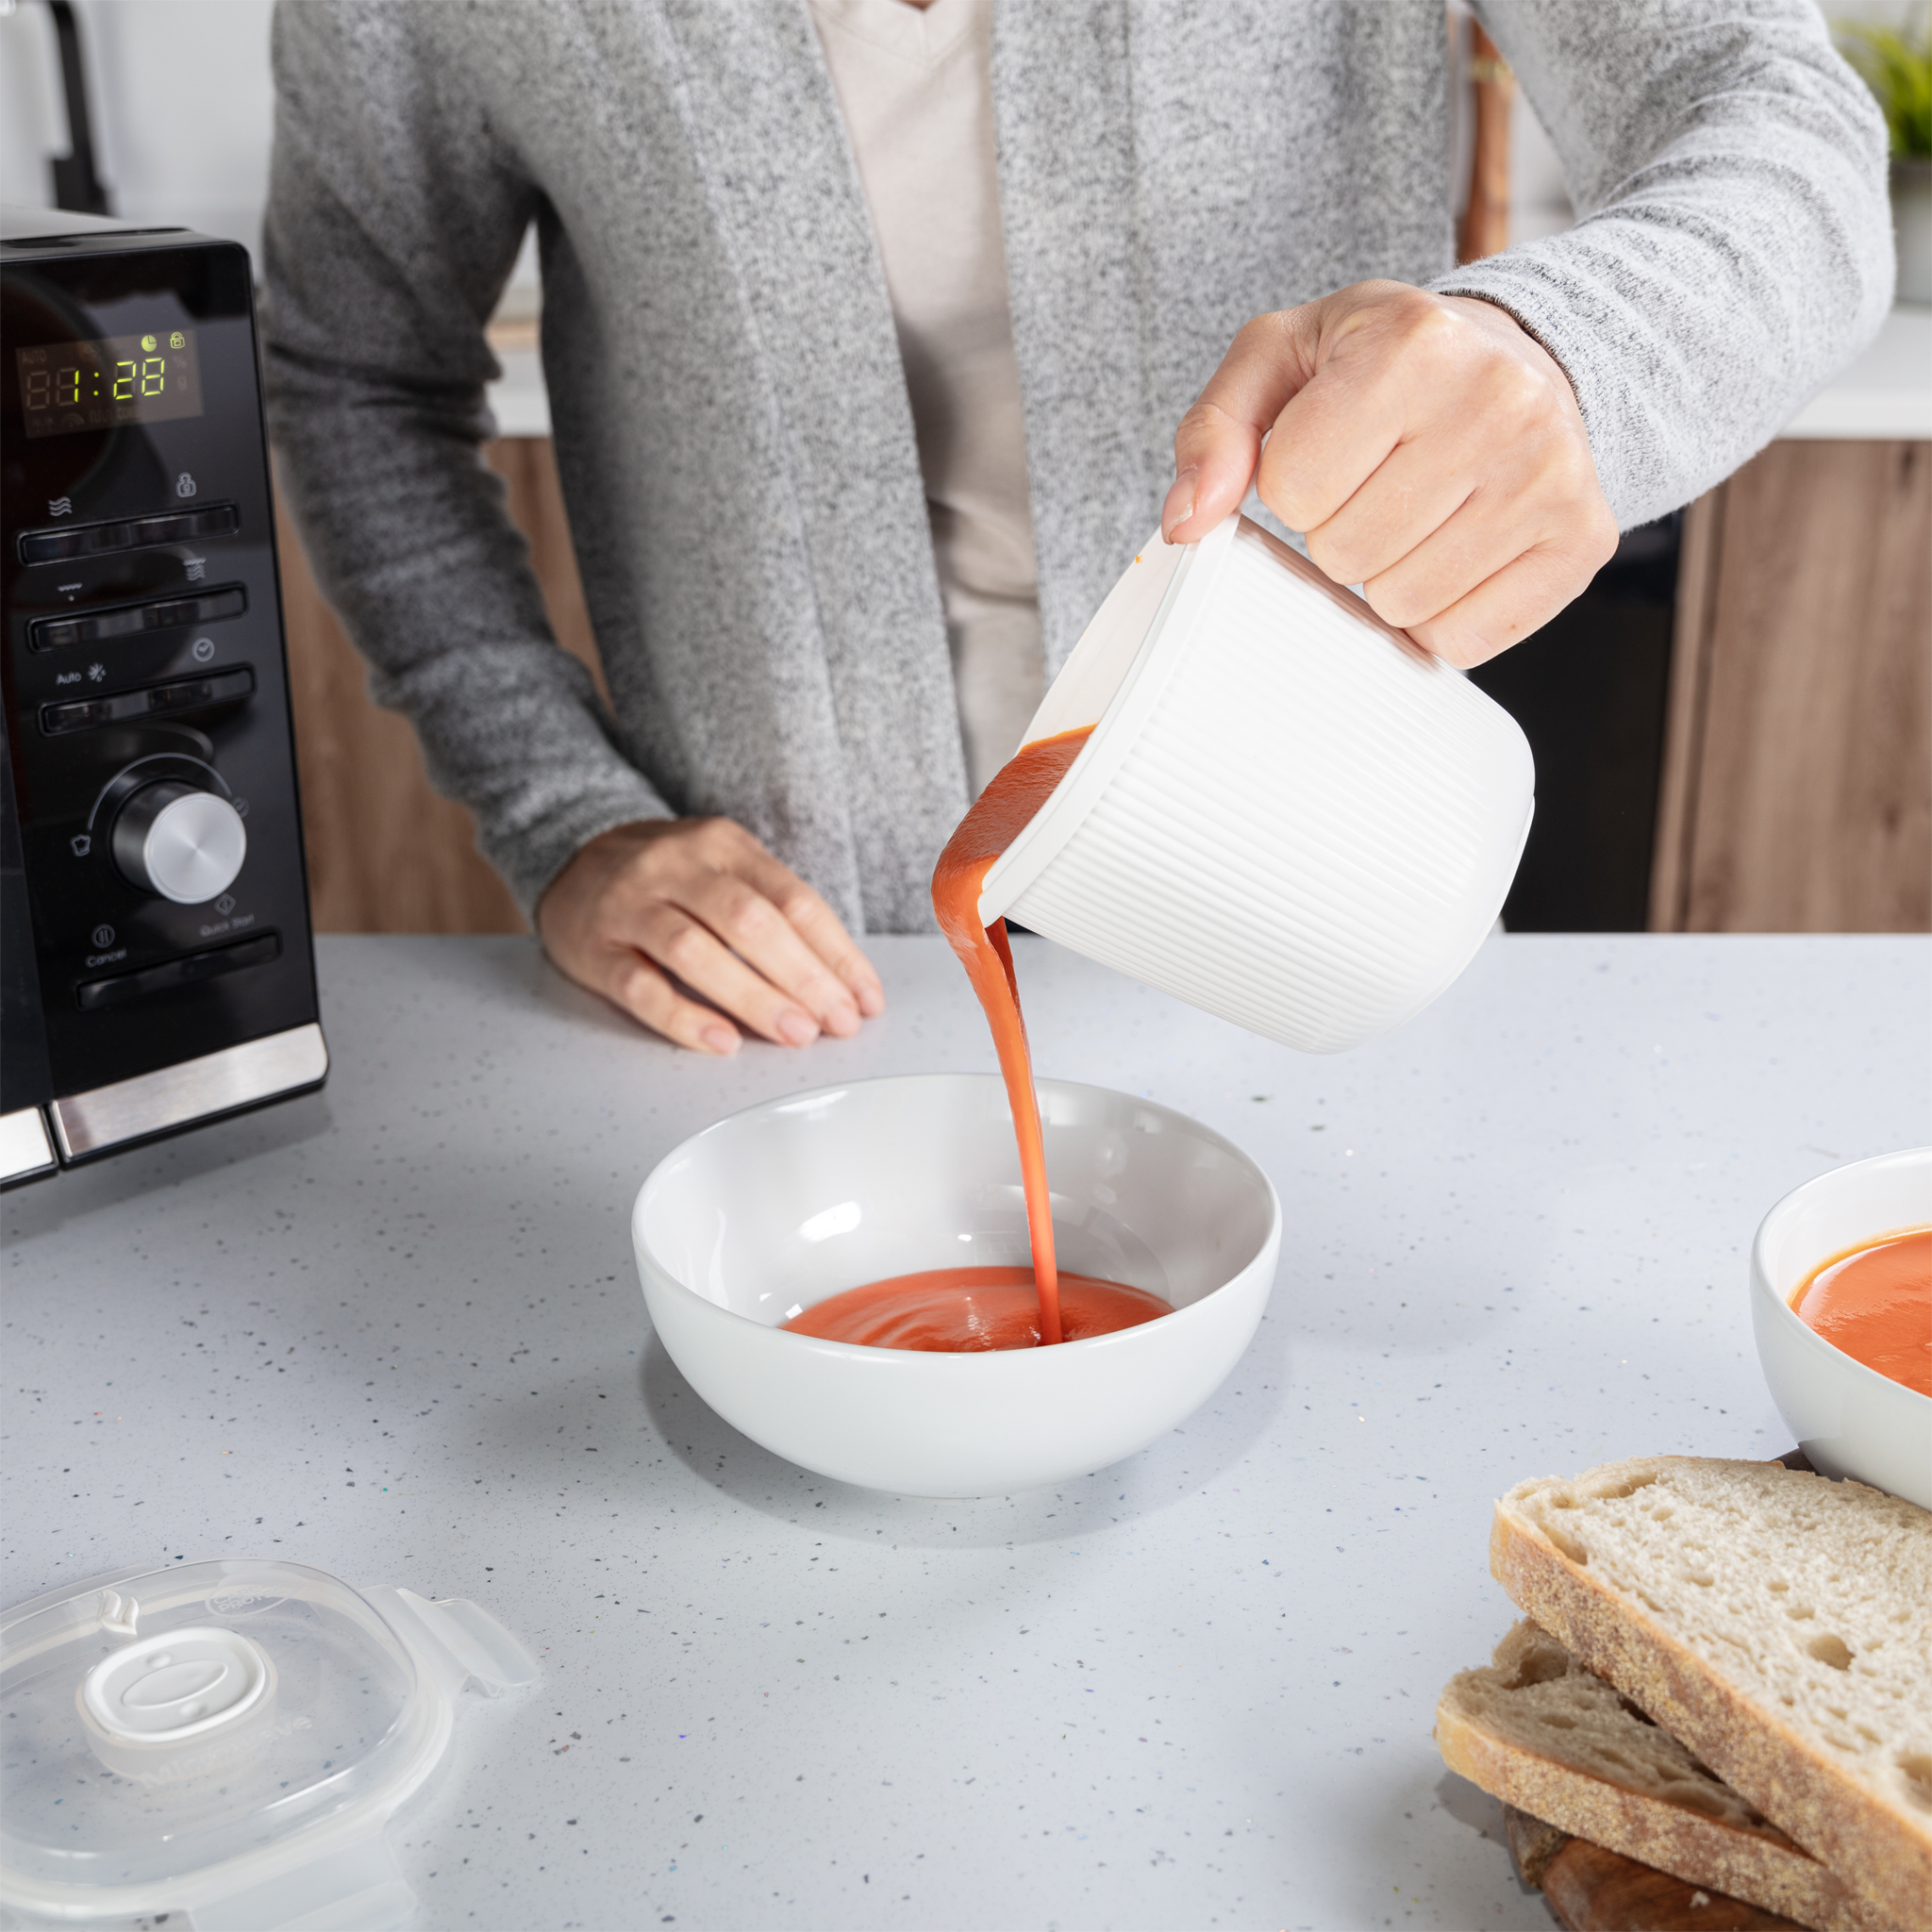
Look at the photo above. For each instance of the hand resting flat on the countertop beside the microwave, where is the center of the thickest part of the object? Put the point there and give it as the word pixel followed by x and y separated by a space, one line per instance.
pixel 704 901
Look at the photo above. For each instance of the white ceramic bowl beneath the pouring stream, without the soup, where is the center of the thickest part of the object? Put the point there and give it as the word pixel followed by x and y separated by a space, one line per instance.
pixel 793 1201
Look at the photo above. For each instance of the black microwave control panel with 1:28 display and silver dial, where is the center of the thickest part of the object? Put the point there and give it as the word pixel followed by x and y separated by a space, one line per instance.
pixel 146 689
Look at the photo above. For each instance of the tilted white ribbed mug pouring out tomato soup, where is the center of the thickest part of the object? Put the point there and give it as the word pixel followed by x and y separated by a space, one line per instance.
pixel 1288 814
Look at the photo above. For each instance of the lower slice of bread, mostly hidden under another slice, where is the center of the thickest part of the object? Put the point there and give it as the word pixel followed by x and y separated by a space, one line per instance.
pixel 1556 1742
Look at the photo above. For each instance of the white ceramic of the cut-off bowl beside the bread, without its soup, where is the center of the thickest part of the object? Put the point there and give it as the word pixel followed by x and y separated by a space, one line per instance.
pixel 1850 1421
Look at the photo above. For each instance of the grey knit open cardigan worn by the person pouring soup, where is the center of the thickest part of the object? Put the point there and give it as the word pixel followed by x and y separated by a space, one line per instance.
pixel 729 407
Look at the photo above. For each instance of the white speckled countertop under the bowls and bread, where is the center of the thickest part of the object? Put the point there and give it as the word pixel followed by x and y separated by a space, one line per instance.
pixel 393 1330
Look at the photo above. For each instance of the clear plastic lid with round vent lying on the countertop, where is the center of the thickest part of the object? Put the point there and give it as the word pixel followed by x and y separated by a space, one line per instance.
pixel 227 1742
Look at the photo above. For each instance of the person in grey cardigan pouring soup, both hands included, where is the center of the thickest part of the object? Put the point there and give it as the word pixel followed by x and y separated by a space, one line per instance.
pixel 868 329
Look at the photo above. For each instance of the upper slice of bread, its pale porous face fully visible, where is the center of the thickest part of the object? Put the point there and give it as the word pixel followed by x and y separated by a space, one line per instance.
pixel 1776 1624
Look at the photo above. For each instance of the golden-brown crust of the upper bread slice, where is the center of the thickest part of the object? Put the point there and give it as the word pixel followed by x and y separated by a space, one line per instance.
pixel 1873 1848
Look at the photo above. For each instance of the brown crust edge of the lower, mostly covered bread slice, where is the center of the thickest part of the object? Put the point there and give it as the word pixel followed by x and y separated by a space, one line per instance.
pixel 1746 1865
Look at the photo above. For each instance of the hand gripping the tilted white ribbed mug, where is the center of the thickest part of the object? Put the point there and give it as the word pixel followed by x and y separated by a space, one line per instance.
pixel 1425 445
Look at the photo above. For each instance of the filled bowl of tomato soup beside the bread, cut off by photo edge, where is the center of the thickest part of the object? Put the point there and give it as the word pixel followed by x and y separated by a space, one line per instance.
pixel 1842 1307
